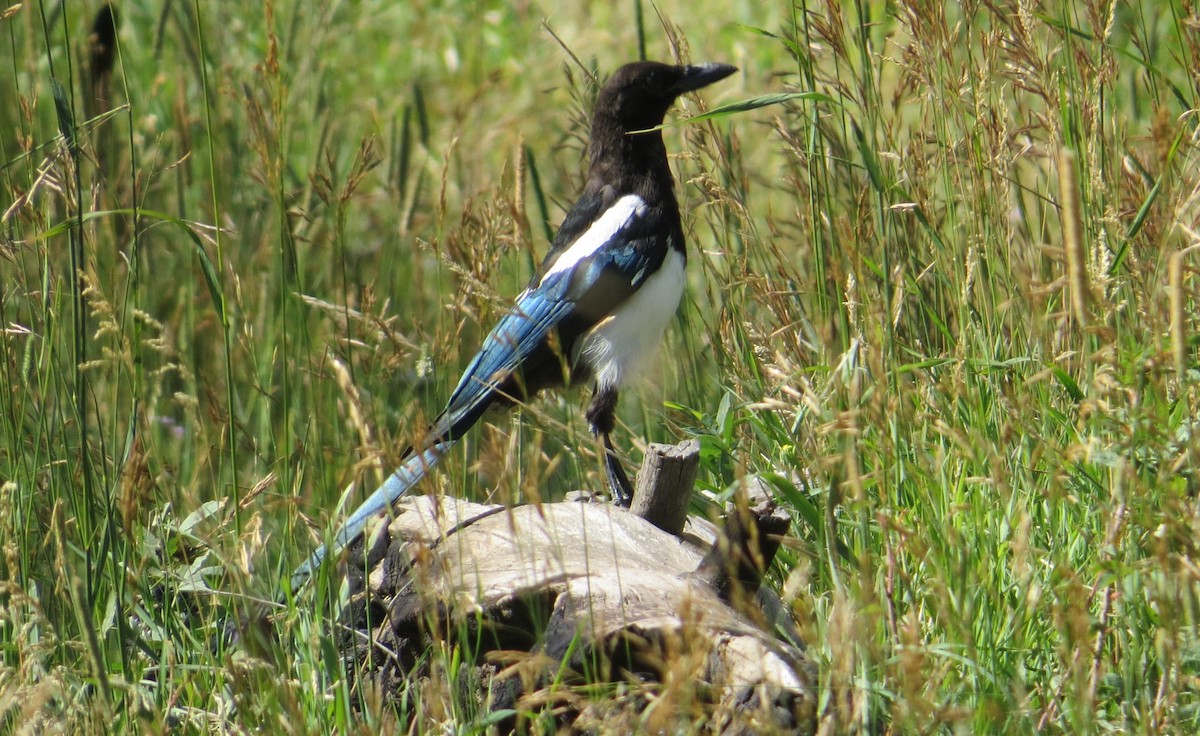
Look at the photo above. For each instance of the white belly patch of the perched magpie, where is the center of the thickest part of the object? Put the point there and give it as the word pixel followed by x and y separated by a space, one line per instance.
pixel 621 344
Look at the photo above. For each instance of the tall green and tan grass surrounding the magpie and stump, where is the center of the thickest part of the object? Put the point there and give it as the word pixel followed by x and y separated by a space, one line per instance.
pixel 947 309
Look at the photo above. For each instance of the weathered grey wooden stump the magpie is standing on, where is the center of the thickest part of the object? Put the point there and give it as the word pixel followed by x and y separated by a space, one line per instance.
pixel 551 599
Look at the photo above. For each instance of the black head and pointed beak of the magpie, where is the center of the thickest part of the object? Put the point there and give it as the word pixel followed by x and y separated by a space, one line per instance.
pixel 639 95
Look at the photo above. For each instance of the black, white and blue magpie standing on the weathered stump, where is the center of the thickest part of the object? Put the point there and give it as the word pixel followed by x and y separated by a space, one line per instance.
pixel 599 303
